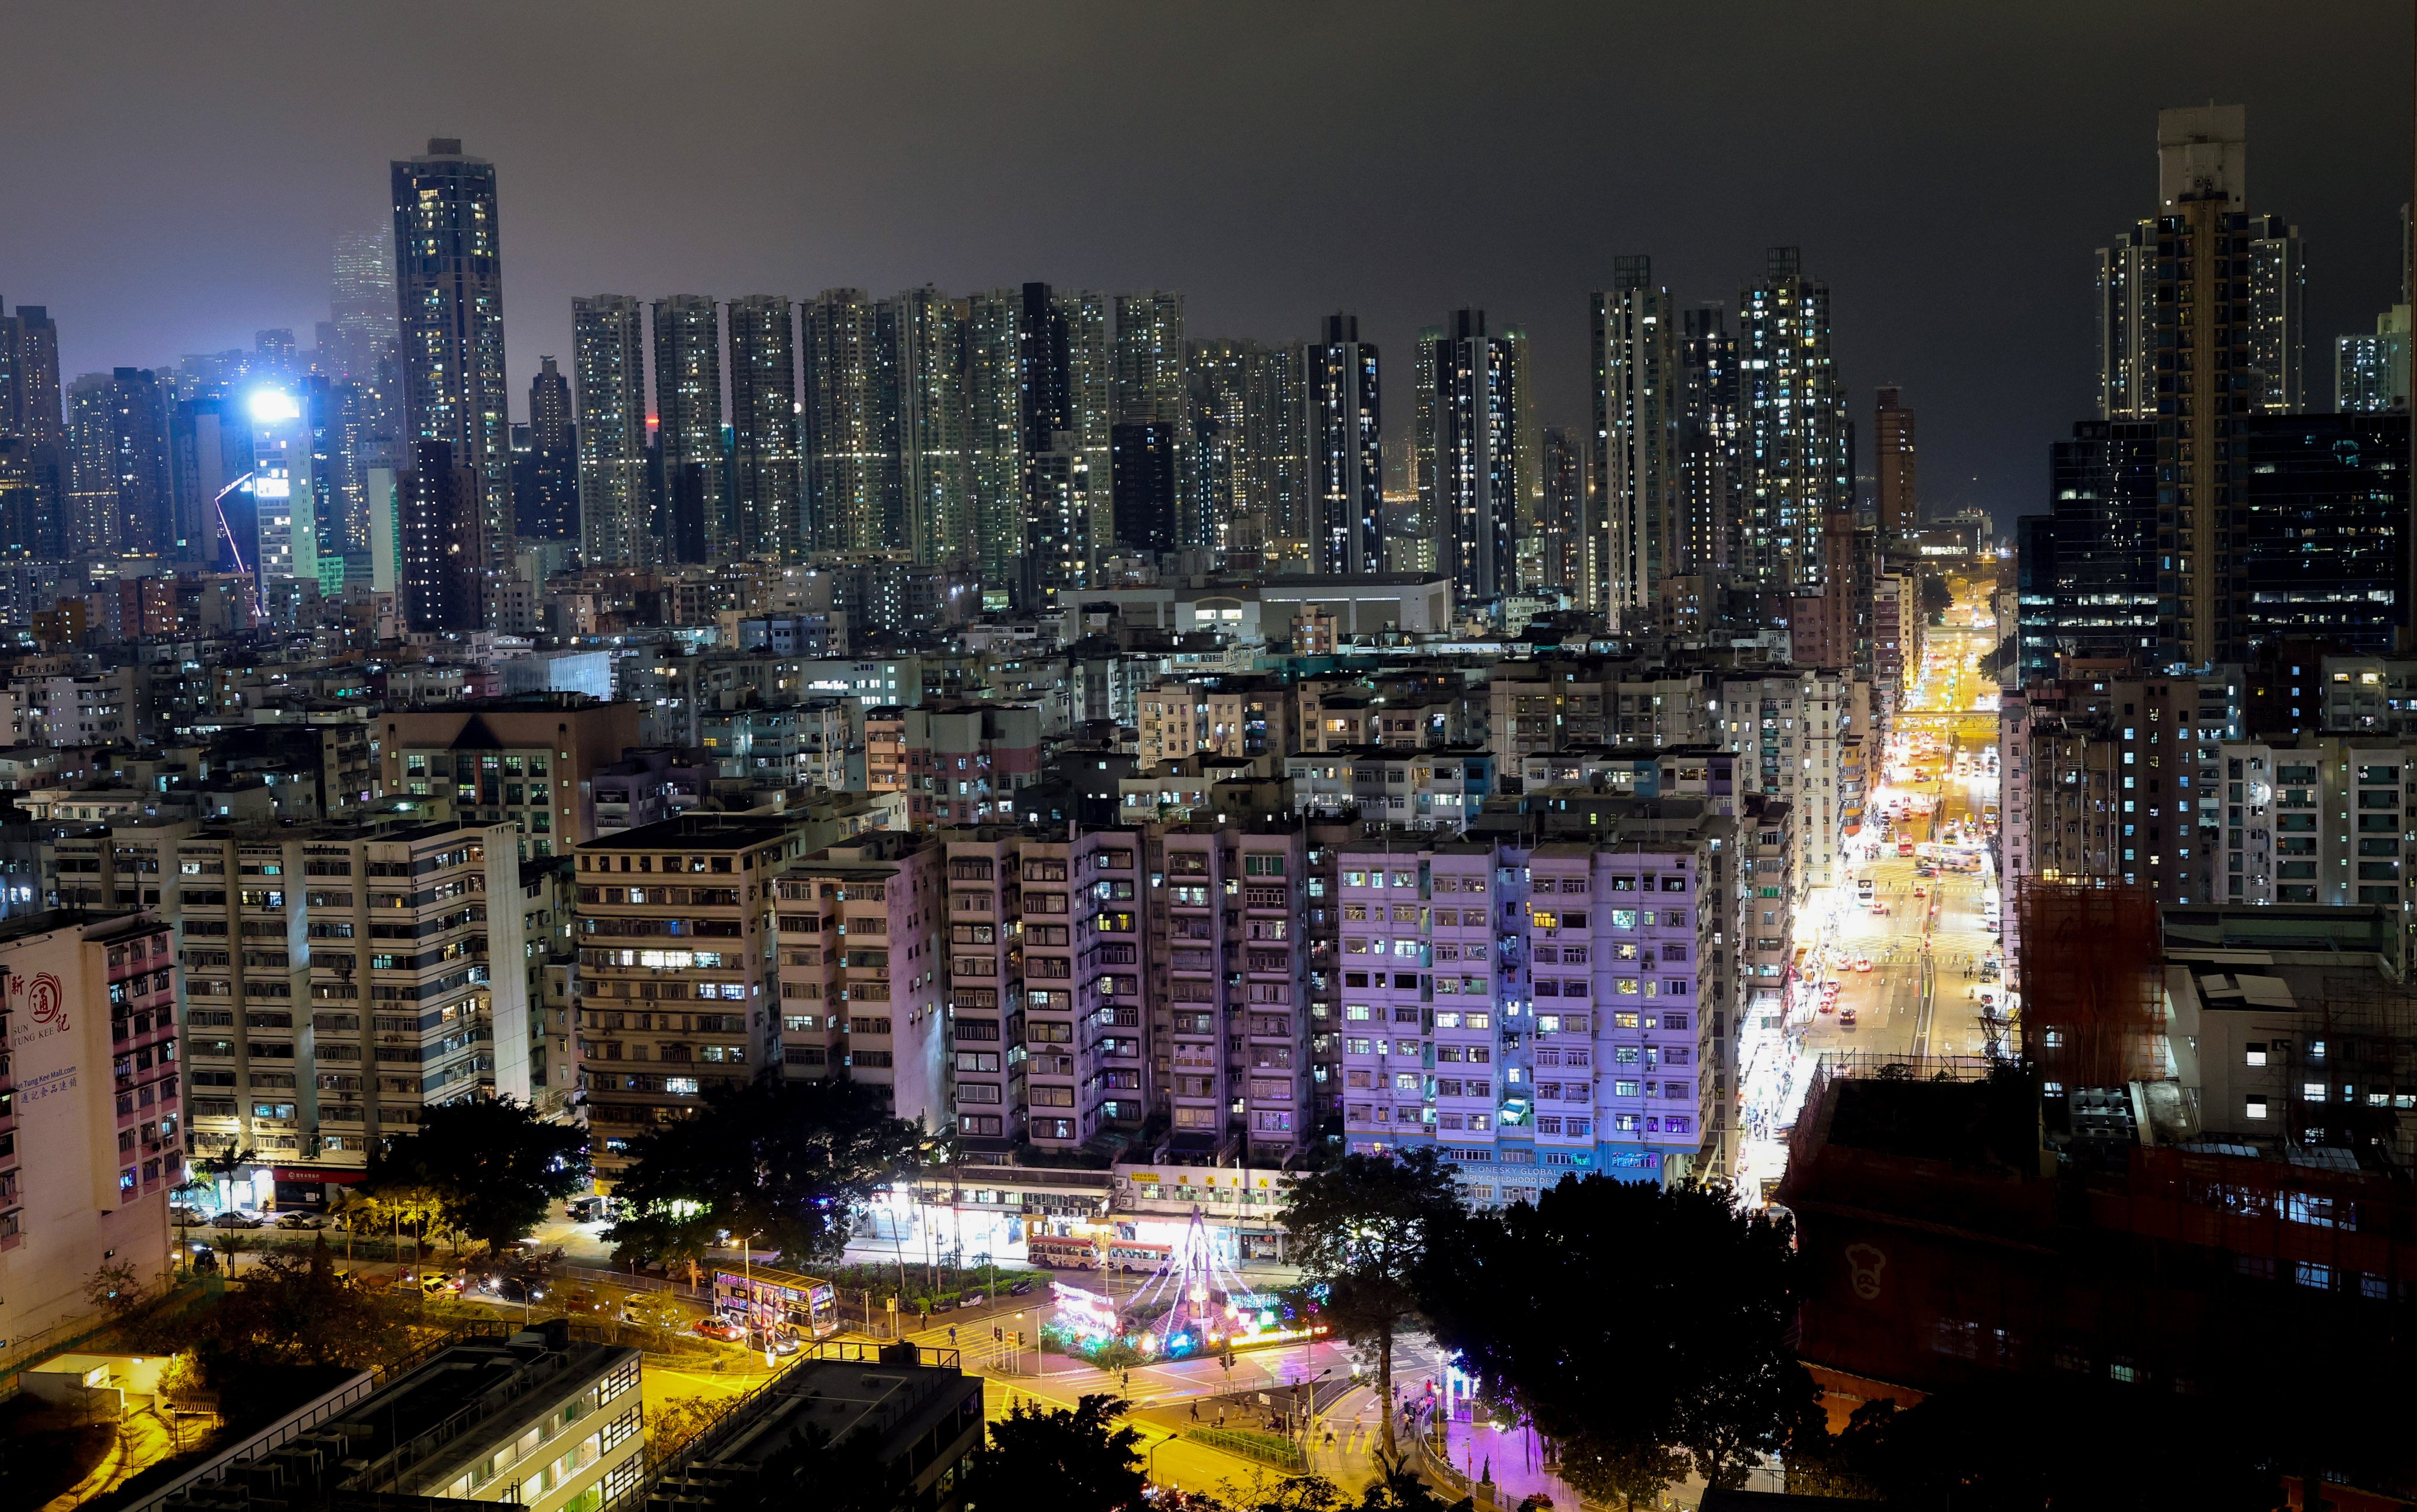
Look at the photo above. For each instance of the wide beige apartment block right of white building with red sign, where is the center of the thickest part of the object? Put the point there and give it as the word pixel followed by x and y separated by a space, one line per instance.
pixel 337 979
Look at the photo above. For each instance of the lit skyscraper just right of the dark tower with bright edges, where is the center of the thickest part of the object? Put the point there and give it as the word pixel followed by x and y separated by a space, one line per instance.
pixel 1476 414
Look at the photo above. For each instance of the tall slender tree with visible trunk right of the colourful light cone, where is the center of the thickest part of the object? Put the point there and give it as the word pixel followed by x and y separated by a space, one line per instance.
pixel 1362 1231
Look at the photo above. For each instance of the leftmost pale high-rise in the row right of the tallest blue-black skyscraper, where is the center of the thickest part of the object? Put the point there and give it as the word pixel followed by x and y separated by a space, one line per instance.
pixel 608 364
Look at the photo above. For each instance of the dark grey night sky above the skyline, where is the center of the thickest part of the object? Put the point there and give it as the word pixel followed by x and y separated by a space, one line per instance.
pixel 173 175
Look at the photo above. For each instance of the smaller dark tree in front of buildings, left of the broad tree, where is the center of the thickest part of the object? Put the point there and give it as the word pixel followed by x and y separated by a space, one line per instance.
pixel 492 1165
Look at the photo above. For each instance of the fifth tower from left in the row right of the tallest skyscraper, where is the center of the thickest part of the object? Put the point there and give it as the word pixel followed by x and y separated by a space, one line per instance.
pixel 925 337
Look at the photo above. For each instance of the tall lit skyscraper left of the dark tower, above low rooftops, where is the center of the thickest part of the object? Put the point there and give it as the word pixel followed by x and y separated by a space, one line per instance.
pixel 1638 373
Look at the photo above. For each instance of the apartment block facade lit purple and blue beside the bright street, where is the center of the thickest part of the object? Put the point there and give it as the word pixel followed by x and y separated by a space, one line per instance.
pixel 1543 1006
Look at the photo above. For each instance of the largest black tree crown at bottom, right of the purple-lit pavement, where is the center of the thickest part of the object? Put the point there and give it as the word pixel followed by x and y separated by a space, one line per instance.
pixel 1630 1320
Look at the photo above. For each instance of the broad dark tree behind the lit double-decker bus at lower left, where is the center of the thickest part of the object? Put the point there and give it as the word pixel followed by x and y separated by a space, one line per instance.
pixel 782 1165
